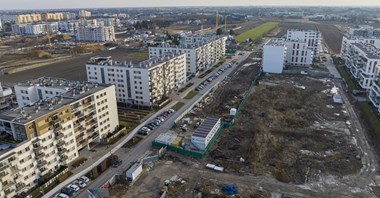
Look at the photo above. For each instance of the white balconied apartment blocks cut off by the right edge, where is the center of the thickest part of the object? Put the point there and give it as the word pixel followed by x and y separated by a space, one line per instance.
pixel 360 52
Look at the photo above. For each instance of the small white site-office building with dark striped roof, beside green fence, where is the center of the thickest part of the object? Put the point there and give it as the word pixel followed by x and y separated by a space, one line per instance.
pixel 205 132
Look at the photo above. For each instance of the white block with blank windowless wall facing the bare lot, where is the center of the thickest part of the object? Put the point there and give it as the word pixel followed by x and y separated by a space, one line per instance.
pixel 274 52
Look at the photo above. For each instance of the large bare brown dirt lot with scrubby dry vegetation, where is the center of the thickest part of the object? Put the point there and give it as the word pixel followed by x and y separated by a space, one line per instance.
pixel 294 140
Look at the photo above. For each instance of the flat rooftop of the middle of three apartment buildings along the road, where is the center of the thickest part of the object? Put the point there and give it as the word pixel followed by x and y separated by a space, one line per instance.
pixel 107 61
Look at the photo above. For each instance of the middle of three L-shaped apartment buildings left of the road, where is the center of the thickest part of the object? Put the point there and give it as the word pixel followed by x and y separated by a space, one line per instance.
pixel 144 83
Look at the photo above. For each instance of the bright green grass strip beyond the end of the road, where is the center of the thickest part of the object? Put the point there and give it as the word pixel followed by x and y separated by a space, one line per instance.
pixel 257 32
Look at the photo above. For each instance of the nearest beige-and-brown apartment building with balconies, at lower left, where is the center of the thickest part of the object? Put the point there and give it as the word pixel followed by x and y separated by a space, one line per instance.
pixel 57 118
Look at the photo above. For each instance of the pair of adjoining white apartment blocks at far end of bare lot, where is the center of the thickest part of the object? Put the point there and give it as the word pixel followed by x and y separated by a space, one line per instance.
pixel 298 48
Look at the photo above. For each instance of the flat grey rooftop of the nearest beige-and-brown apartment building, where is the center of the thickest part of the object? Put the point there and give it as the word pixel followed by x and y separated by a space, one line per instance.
pixel 75 91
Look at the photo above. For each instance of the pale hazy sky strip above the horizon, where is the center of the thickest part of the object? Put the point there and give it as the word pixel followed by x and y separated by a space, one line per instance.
pixel 44 4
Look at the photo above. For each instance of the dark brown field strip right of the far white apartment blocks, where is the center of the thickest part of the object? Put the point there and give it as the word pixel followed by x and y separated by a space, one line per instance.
pixel 332 36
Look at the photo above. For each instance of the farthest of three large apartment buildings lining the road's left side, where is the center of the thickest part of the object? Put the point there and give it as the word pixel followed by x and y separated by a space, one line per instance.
pixel 199 56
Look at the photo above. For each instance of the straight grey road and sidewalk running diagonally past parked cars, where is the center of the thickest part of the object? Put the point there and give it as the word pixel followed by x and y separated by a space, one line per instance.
pixel 138 151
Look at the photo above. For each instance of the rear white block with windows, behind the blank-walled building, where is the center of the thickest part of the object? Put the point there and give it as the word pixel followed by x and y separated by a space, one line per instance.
pixel 310 38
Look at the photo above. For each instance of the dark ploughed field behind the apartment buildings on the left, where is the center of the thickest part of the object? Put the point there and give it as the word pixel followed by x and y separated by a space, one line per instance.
pixel 73 69
